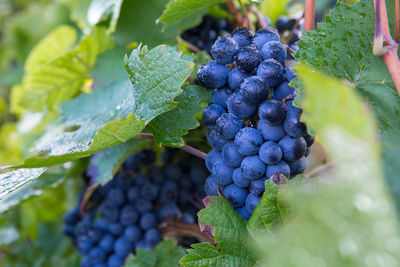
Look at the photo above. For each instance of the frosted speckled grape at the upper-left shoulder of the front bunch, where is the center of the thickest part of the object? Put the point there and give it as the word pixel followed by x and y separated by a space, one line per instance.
pixel 224 49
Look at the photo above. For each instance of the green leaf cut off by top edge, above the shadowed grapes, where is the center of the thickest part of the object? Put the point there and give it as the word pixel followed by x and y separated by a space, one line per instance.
pixel 179 9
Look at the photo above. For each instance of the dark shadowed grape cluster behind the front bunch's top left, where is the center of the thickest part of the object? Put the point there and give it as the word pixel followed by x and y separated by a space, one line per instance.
pixel 204 35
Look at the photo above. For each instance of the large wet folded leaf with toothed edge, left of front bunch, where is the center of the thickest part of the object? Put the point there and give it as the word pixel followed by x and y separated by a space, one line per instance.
pixel 117 111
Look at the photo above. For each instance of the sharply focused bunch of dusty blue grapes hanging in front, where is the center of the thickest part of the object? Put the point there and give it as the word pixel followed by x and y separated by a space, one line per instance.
pixel 254 129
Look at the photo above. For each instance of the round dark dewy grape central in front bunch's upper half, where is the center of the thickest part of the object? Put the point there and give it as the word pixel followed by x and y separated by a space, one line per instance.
pixel 254 90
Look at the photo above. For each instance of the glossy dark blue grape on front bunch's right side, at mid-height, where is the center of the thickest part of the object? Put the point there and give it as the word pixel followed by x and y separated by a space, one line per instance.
pixel 272 112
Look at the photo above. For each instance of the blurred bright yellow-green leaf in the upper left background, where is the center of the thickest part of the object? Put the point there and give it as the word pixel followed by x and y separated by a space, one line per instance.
pixel 55 73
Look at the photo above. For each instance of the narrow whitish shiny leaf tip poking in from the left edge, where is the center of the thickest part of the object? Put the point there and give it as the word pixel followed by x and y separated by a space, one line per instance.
pixel 10 181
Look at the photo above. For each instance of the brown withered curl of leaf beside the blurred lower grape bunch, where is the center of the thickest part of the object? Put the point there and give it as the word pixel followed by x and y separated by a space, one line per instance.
pixel 177 229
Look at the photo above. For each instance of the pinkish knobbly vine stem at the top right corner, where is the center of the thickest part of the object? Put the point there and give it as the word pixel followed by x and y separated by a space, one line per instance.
pixel 384 45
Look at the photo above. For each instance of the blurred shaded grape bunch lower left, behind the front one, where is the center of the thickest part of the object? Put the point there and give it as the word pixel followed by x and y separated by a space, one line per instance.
pixel 127 211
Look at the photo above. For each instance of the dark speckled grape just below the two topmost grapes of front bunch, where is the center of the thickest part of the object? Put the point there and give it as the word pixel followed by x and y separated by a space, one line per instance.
pixel 248 58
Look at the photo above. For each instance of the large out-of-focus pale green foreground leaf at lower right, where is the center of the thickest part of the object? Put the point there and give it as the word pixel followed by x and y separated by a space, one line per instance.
pixel 345 220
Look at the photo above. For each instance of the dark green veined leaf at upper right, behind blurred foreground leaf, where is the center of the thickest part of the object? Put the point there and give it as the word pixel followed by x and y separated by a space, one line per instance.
pixel 342 46
